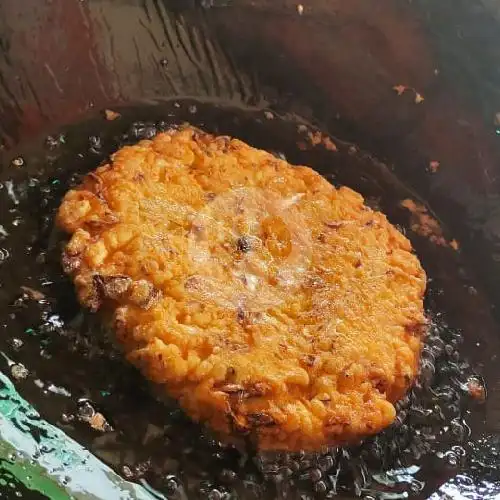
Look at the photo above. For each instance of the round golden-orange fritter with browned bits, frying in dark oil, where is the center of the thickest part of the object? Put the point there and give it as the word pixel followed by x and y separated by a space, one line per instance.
pixel 269 303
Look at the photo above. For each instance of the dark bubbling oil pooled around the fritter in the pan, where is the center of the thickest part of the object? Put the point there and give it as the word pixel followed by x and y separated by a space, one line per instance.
pixel 436 436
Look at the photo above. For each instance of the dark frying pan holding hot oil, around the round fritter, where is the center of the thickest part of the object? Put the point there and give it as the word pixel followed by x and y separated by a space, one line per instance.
pixel 409 93
